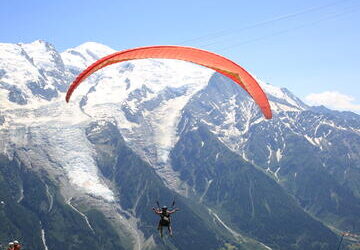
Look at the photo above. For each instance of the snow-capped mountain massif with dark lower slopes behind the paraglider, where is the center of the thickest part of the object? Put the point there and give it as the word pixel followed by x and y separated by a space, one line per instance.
pixel 165 117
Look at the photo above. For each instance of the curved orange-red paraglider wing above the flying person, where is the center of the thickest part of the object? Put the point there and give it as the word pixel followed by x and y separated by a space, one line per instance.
pixel 197 56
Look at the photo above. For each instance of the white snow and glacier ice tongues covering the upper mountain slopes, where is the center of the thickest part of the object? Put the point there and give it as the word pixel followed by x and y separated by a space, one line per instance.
pixel 145 98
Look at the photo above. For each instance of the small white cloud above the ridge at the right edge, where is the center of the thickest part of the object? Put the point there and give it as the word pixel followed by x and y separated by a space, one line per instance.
pixel 333 100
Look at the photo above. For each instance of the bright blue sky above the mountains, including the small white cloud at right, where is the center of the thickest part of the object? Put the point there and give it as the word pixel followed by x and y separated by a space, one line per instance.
pixel 310 47
